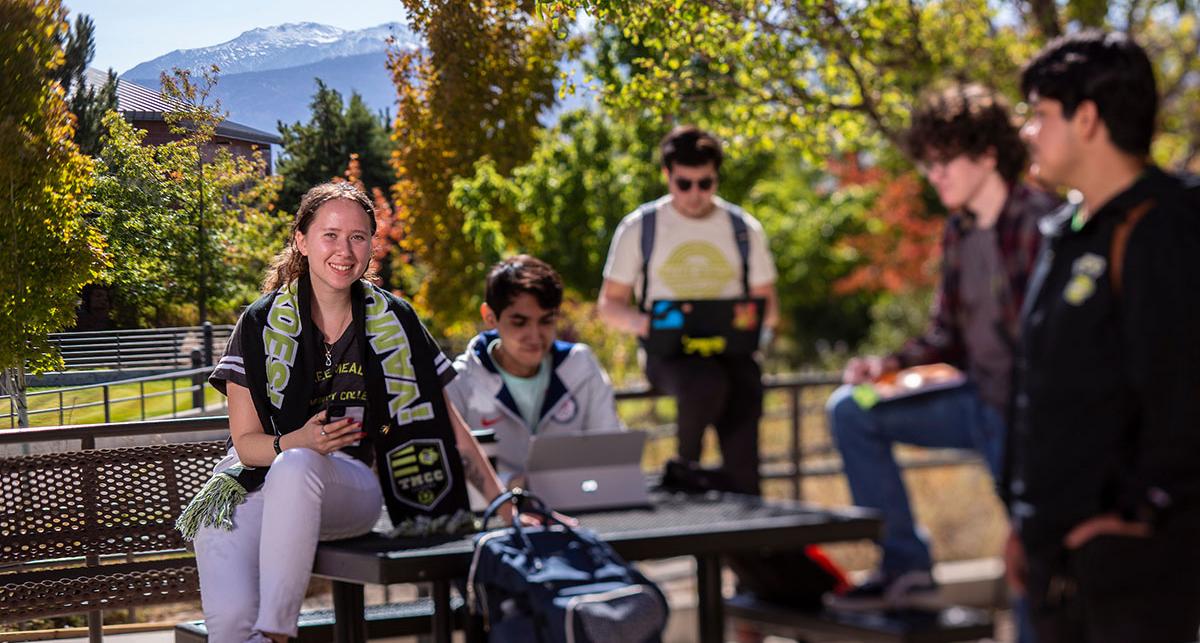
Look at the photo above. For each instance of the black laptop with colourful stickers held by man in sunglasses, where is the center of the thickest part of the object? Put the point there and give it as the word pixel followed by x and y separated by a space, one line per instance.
pixel 705 327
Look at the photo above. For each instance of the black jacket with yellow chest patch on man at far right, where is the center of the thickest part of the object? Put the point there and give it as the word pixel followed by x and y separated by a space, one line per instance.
pixel 1108 374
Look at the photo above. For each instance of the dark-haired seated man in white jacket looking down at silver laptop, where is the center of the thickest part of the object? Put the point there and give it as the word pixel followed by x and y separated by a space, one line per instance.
pixel 518 380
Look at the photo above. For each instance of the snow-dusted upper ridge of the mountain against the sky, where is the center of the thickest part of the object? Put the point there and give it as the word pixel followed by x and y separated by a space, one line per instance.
pixel 275 49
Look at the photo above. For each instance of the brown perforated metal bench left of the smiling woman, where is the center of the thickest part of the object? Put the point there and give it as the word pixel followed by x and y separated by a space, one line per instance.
pixel 93 531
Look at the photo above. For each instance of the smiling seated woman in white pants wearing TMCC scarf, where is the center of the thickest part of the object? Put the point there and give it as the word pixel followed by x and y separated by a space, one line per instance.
pixel 321 340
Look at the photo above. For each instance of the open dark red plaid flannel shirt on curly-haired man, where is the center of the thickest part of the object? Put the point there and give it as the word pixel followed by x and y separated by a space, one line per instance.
pixel 1017 232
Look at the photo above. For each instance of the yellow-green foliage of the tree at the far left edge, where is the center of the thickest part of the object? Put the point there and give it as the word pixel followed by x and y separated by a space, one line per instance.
pixel 47 251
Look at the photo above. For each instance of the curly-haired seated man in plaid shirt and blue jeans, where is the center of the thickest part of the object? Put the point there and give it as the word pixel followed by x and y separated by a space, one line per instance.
pixel 969 149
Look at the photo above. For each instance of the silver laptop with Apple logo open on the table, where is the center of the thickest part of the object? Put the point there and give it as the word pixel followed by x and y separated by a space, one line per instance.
pixel 589 472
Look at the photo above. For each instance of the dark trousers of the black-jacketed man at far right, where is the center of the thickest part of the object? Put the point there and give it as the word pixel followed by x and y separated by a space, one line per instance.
pixel 1119 591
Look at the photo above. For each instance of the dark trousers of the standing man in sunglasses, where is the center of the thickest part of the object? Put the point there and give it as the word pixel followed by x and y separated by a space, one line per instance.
pixel 723 392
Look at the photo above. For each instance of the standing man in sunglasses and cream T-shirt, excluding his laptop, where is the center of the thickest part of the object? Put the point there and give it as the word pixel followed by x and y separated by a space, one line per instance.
pixel 693 245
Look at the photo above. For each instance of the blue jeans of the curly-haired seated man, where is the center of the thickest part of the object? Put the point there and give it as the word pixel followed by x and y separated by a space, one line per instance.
pixel 955 419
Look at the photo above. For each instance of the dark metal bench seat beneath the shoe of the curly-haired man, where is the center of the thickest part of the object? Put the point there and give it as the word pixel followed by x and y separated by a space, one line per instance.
pixel 935 626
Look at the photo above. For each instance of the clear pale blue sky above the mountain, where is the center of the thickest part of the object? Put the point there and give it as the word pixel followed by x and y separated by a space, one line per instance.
pixel 133 32
